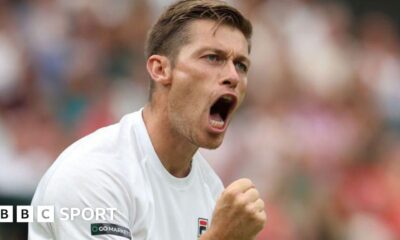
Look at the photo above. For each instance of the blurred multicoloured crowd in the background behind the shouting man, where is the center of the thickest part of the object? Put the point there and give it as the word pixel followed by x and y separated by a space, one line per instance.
pixel 319 132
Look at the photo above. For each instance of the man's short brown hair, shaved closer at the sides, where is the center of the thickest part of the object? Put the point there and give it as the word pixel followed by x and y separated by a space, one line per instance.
pixel 168 34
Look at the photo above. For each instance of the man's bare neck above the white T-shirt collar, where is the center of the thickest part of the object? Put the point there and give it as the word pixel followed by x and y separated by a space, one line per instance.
pixel 174 150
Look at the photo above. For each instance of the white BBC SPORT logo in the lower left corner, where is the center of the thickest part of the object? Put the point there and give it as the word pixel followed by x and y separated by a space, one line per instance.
pixel 47 214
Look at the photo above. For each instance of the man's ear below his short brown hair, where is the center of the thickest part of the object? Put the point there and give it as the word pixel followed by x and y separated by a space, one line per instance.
pixel 159 68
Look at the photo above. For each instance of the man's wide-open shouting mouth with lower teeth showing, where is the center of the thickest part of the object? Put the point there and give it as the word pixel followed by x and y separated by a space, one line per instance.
pixel 220 111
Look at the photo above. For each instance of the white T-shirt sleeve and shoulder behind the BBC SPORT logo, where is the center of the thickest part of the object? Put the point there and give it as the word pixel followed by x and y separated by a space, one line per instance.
pixel 100 171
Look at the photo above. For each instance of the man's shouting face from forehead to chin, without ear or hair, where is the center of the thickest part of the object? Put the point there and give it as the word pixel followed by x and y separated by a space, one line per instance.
pixel 209 81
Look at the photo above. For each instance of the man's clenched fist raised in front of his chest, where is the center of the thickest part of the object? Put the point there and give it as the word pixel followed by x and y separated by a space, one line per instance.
pixel 239 213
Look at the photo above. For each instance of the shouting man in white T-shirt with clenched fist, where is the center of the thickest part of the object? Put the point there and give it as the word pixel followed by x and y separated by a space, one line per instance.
pixel 147 166
